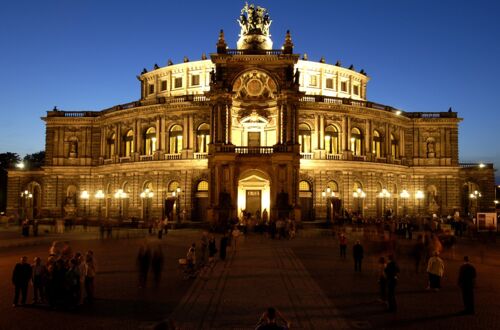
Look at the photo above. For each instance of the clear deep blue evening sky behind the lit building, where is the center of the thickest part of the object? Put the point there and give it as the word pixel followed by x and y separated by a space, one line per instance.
pixel 422 55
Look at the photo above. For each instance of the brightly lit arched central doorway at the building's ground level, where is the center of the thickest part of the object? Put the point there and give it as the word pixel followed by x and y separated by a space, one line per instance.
pixel 254 194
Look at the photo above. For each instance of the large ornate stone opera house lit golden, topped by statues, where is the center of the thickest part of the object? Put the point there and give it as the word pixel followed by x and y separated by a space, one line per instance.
pixel 251 128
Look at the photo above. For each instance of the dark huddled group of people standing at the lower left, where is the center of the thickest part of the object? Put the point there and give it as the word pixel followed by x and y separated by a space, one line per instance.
pixel 65 280
